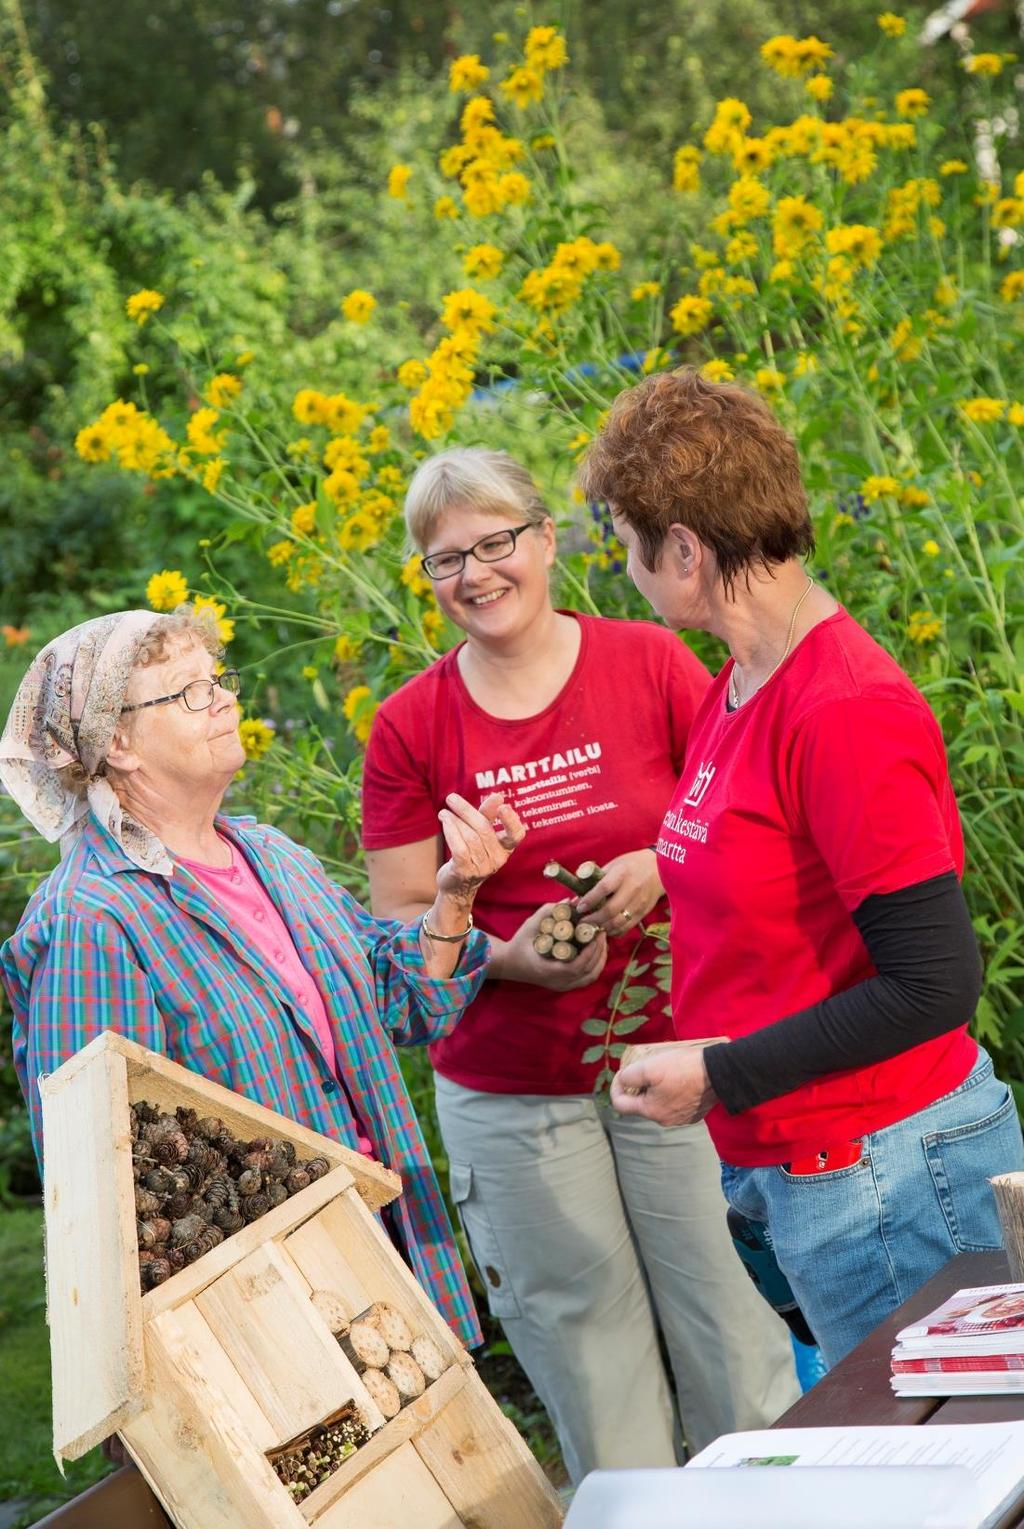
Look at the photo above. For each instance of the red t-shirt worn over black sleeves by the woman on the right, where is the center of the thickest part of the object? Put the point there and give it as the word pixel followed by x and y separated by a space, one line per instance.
pixel 829 785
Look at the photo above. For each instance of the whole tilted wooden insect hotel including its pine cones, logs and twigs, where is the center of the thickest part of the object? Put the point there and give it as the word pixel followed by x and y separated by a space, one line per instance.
pixel 222 1296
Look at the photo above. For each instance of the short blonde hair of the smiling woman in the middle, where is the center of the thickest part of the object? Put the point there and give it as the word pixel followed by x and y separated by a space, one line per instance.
pixel 471 478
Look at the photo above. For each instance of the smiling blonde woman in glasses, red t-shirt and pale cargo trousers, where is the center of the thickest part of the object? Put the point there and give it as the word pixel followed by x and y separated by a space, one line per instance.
pixel 592 1233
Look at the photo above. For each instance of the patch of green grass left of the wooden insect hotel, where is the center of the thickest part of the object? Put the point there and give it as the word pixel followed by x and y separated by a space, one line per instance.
pixel 27 1464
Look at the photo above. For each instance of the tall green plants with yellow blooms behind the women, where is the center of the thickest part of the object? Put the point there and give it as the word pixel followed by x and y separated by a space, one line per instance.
pixel 852 262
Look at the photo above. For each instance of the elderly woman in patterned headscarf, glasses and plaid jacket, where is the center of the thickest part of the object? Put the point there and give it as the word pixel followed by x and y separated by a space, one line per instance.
pixel 218 941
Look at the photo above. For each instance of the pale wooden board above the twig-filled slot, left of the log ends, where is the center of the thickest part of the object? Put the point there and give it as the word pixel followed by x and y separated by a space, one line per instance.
pixel 267 1325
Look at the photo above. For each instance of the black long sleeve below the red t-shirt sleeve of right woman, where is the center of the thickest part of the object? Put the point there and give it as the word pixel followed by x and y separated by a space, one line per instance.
pixel 928 981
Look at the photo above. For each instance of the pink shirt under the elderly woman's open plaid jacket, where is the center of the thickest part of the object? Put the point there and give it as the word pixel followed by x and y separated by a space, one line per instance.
pixel 258 921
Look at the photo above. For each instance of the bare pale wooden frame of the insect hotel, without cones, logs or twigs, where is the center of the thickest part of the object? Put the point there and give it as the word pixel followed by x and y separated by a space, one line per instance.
pixel 210 1374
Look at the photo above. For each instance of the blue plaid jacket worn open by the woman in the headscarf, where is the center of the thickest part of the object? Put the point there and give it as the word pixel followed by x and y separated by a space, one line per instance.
pixel 106 946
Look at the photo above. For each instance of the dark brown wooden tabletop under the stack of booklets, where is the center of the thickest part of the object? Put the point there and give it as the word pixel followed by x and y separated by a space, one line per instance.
pixel 858 1391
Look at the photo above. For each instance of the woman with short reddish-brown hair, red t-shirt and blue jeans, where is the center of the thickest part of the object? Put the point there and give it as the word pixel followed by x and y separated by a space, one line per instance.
pixel 812 857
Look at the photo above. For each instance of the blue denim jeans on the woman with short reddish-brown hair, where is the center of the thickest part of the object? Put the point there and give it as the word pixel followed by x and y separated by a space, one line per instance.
pixel 855 1244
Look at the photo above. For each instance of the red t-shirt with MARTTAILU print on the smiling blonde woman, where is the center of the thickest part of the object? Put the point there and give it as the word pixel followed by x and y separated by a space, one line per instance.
pixel 591 776
